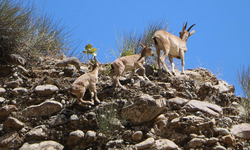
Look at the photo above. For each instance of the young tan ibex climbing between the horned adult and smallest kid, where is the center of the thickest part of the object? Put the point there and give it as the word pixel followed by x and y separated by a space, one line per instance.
pixel 130 63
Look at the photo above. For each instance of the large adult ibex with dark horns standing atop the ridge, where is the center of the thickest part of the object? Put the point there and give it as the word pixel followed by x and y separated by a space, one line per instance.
pixel 172 46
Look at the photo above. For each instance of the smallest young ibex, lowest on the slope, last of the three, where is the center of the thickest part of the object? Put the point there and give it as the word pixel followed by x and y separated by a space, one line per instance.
pixel 84 82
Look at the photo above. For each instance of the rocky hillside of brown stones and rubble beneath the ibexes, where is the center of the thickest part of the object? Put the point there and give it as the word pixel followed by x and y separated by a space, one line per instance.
pixel 192 111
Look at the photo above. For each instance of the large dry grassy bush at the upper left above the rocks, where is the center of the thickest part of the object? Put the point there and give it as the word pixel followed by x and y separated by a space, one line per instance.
pixel 28 34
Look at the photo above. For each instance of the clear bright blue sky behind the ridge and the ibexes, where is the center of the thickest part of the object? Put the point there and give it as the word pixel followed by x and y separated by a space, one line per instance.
pixel 220 44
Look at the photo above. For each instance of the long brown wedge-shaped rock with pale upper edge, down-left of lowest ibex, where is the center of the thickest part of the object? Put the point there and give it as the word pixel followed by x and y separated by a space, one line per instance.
pixel 44 109
